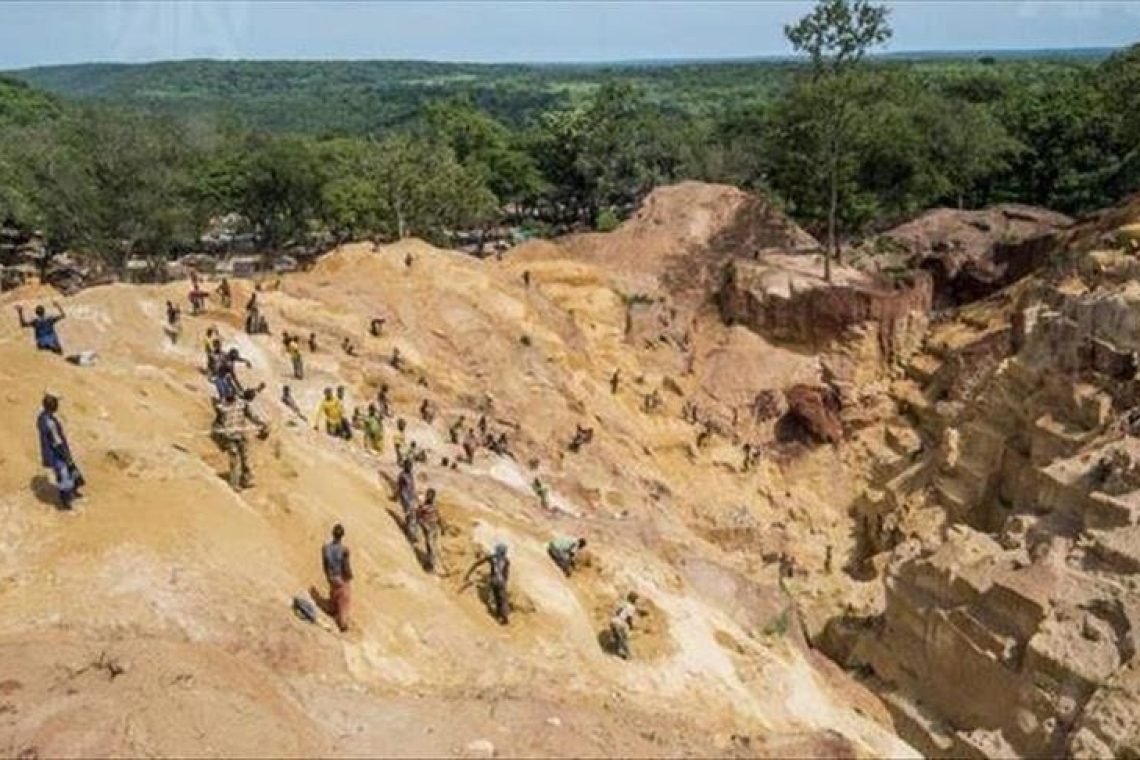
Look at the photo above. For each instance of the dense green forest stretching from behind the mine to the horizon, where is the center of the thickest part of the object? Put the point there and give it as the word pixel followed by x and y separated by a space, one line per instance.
pixel 135 160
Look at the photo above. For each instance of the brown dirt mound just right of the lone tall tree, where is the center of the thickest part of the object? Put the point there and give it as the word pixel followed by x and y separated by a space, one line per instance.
pixel 974 254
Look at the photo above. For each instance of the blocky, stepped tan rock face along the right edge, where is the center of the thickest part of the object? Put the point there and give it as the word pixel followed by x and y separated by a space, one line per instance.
pixel 1015 631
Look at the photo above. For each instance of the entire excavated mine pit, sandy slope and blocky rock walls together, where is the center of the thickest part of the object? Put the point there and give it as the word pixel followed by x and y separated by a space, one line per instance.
pixel 948 508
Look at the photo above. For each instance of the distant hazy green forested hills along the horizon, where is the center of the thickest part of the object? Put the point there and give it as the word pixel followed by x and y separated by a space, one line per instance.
pixel 355 97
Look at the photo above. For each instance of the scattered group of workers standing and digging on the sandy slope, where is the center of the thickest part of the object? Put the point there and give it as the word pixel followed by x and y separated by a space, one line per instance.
pixel 235 418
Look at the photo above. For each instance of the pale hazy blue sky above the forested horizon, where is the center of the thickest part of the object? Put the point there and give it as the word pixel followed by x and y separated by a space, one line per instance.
pixel 35 34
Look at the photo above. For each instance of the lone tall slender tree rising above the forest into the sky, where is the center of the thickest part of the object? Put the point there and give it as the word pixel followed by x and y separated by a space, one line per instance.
pixel 837 36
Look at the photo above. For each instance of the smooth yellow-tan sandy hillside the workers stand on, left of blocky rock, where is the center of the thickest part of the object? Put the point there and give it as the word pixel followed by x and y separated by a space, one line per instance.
pixel 156 619
